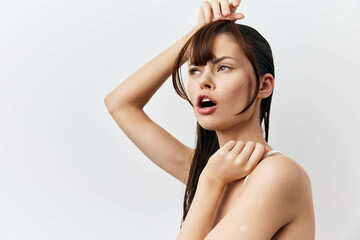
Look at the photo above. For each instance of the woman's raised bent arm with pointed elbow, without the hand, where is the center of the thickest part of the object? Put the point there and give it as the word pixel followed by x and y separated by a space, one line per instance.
pixel 126 102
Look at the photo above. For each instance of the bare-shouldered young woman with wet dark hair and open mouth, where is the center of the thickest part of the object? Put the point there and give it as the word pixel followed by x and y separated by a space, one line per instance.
pixel 230 85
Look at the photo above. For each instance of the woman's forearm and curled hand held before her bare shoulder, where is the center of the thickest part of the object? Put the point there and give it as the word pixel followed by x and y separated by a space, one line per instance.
pixel 231 162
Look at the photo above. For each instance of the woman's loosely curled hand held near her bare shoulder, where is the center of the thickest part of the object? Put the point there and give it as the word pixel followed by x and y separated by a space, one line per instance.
pixel 233 161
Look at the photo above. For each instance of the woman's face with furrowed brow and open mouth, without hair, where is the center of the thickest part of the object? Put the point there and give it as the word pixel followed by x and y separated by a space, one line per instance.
pixel 227 80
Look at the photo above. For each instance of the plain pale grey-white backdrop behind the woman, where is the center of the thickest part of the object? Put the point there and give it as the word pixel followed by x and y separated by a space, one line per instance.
pixel 67 171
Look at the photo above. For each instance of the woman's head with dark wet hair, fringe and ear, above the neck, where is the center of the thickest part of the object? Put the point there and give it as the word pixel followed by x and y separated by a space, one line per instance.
pixel 233 82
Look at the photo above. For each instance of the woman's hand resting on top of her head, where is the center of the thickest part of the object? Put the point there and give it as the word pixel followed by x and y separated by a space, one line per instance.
pixel 213 10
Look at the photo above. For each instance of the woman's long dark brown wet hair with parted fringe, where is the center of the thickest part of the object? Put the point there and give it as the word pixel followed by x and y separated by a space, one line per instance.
pixel 198 49
